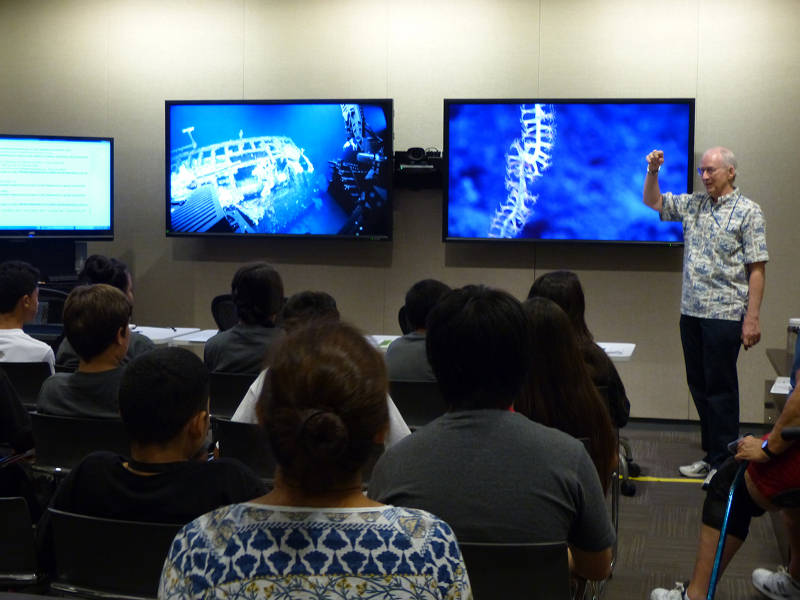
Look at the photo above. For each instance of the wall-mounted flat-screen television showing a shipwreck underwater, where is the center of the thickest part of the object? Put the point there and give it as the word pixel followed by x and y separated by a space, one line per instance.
pixel 279 168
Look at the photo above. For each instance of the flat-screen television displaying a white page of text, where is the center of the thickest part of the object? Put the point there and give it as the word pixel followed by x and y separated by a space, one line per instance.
pixel 56 186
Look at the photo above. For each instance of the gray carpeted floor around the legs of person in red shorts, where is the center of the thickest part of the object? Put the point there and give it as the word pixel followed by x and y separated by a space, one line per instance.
pixel 659 525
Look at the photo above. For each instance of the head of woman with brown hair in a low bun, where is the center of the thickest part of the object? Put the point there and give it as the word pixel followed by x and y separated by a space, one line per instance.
pixel 324 404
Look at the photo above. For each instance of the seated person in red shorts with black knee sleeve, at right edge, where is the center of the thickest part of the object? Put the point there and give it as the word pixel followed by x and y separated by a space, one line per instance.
pixel 774 468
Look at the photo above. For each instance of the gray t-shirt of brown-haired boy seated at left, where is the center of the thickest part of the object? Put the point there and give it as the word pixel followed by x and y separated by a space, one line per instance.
pixel 79 394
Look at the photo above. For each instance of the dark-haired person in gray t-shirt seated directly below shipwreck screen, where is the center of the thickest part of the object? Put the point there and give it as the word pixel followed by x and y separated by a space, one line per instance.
pixel 257 291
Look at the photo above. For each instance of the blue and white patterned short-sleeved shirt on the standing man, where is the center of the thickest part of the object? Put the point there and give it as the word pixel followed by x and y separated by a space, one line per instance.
pixel 720 240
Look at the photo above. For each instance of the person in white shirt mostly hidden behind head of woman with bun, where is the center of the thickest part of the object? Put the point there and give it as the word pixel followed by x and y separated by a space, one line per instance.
pixel 301 309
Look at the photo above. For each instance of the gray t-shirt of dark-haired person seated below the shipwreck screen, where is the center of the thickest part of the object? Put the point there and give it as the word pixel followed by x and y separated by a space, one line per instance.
pixel 240 349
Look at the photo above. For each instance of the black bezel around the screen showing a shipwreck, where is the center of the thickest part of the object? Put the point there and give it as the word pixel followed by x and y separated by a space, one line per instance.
pixel 388 103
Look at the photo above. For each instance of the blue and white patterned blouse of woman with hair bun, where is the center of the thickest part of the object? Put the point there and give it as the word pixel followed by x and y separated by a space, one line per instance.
pixel 252 551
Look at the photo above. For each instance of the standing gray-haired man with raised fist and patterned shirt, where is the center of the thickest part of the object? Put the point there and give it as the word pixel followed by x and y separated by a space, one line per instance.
pixel 725 253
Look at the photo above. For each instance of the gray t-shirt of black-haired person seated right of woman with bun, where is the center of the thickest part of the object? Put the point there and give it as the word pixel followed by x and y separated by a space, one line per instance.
pixel 496 476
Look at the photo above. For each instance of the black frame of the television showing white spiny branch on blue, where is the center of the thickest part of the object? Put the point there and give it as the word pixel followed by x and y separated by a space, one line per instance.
pixel 448 102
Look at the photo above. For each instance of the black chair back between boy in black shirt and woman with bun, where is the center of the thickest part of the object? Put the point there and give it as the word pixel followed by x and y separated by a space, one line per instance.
pixel 247 443
